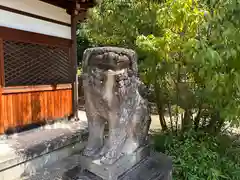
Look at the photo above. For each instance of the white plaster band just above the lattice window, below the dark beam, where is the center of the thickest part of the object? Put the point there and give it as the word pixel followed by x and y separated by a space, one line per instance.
pixel 21 22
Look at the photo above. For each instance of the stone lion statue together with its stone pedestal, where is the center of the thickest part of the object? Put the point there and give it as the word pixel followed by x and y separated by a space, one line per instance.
pixel 114 95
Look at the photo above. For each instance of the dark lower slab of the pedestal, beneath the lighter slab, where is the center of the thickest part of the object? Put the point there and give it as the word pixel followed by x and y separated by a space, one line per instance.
pixel 157 166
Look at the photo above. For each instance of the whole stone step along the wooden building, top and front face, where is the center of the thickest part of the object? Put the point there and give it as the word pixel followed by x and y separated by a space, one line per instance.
pixel 25 153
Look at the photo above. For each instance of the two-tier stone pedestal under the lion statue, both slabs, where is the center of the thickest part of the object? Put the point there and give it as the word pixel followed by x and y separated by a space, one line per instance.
pixel 143 165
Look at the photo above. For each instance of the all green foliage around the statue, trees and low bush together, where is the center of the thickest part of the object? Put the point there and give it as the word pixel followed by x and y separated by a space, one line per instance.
pixel 189 53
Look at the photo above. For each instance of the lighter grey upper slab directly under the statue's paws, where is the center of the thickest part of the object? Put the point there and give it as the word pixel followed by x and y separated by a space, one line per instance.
pixel 115 170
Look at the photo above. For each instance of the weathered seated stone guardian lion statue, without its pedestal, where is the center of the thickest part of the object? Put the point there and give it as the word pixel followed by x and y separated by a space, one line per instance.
pixel 111 90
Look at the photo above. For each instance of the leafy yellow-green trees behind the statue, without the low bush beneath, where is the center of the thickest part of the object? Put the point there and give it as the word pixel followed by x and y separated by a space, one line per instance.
pixel 189 53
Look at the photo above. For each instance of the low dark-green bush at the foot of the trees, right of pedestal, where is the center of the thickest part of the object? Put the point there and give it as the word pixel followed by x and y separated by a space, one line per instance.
pixel 199 156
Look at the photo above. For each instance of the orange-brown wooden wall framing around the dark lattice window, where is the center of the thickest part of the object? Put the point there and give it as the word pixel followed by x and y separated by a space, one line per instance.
pixel 25 105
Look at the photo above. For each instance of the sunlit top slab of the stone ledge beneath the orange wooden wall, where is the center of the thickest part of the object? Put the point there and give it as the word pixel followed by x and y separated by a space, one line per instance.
pixel 22 147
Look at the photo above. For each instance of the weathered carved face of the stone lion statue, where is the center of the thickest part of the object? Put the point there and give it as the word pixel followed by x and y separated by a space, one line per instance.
pixel 109 74
